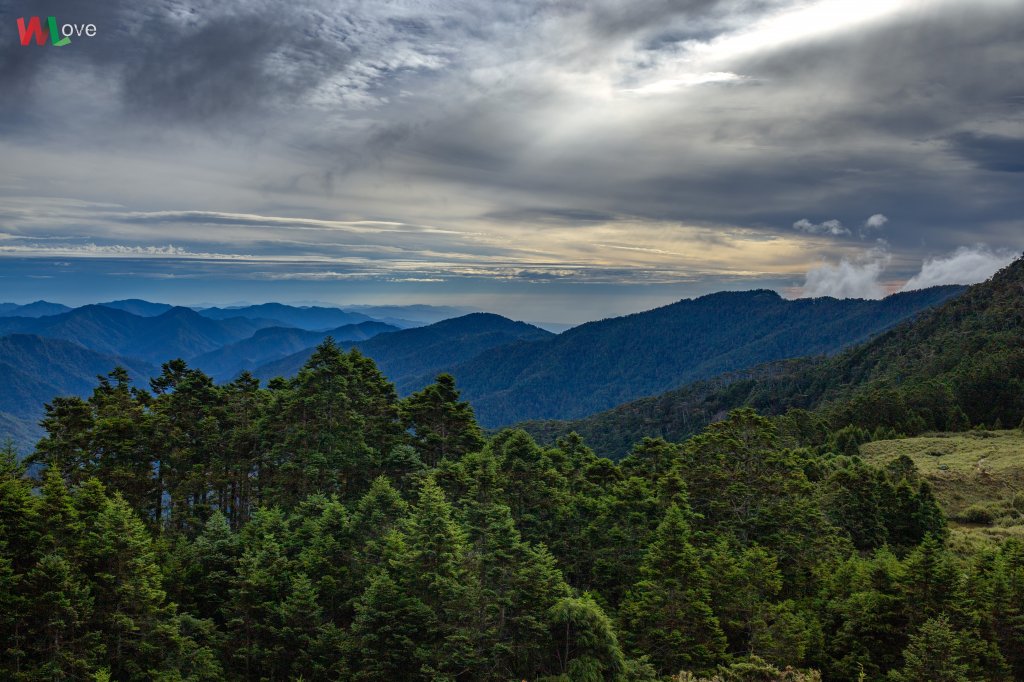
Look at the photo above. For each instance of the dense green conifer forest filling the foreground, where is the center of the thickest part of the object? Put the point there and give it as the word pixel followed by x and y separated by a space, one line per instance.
pixel 322 529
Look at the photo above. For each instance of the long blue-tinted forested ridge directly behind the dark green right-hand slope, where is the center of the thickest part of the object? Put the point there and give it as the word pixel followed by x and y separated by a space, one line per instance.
pixel 603 364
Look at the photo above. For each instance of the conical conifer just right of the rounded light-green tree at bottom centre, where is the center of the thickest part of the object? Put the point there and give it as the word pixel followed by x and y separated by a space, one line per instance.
pixel 668 614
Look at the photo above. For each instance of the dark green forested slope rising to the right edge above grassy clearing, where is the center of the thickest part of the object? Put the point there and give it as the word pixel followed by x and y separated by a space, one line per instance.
pixel 959 365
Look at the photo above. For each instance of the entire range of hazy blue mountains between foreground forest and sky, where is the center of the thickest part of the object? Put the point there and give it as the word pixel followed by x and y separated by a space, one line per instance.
pixel 510 371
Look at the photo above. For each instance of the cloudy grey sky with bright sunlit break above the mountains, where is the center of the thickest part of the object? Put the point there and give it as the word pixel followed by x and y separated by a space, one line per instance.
pixel 556 161
